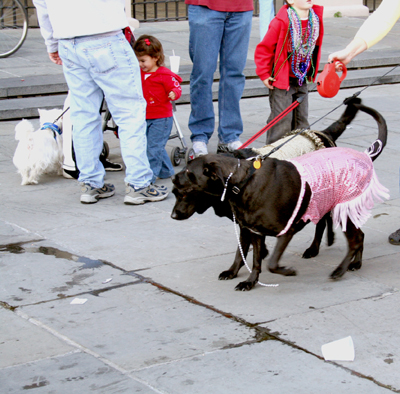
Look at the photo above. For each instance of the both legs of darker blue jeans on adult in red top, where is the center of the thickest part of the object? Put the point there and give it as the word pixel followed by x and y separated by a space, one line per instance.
pixel 226 34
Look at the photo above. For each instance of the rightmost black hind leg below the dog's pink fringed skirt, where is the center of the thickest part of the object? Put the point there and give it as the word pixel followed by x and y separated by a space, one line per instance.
pixel 353 259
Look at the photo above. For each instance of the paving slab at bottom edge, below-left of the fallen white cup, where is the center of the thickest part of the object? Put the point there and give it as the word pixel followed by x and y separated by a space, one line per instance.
pixel 260 368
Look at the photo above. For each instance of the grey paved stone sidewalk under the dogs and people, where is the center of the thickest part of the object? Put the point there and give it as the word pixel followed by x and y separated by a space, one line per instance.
pixel 157 320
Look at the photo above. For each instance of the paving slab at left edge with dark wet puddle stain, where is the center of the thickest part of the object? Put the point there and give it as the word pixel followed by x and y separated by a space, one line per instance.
pixel 22 284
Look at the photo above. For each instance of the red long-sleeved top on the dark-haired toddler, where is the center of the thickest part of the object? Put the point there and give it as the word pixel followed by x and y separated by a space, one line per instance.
pixel 156 87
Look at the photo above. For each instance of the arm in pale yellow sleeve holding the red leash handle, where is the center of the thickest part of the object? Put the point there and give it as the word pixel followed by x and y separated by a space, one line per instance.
pixel 372 31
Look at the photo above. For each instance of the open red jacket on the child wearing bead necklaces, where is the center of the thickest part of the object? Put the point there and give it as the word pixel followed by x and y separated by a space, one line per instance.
pixel 268 51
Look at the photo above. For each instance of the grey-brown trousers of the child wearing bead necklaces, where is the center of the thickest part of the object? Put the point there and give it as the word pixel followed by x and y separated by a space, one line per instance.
pixel 279 100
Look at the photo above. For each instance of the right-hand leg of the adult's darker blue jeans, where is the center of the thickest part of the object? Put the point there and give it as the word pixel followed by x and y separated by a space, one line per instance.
pixel 233 56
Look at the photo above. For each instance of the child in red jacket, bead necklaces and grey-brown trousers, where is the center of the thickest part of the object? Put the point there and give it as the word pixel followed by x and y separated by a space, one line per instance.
pixel 288 57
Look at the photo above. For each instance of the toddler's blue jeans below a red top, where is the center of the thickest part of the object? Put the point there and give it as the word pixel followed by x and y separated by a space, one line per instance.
pixel 158 132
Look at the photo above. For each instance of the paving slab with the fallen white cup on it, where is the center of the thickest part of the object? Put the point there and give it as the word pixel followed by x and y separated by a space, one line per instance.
pixel 376 350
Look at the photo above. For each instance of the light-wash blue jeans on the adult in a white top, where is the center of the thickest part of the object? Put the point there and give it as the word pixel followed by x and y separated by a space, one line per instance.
pixel 95 66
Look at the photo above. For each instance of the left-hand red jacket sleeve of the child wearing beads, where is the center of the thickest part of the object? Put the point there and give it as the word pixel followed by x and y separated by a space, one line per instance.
pixel 265 51
